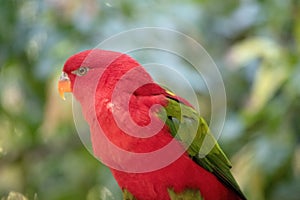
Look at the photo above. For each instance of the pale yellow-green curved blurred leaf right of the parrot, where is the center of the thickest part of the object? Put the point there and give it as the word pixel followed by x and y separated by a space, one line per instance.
pixel 272 71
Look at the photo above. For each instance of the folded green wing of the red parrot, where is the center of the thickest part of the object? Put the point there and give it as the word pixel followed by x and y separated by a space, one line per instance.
pixel 188 127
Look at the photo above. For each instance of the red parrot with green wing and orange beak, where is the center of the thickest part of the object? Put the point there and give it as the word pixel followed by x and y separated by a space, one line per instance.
pixel 118 95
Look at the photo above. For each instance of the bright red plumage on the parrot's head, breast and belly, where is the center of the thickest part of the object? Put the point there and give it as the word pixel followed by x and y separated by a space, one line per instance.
pixel 181 174
